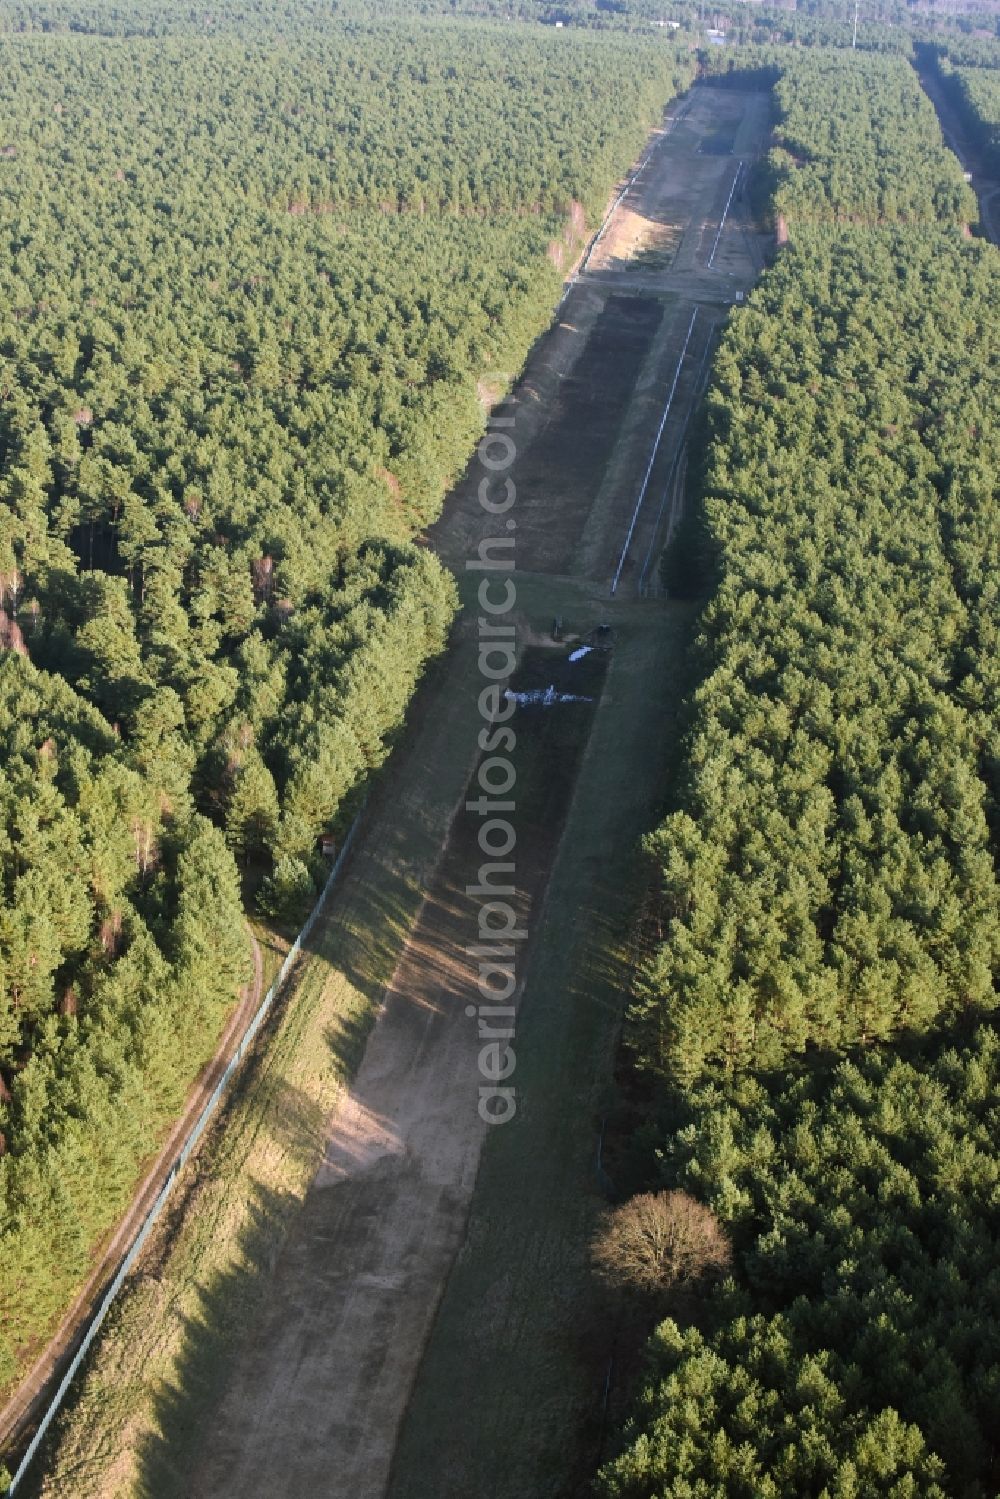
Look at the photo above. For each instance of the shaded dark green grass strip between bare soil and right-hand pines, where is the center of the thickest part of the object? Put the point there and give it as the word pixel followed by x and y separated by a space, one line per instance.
pixel 507 1333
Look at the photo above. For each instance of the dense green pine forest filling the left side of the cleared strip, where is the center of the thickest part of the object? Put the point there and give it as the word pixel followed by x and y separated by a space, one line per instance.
pixel 260 289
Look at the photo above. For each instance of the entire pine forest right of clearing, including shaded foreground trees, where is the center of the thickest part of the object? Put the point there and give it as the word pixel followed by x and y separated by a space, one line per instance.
pixel 813 1023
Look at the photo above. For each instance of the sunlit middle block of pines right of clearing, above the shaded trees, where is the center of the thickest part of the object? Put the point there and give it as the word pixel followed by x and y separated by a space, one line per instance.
pixel 830 878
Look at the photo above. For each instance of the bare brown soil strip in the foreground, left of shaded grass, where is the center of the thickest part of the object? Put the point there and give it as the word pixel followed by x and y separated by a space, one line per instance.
pixel 359 1282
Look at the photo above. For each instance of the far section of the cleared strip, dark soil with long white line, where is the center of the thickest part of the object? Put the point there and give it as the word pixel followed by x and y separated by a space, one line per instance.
pixel 593 396
